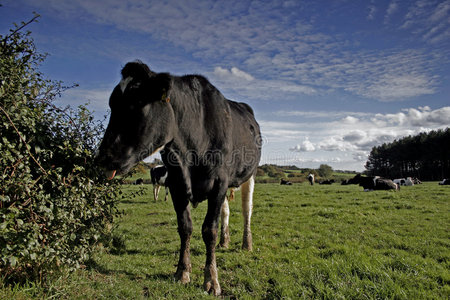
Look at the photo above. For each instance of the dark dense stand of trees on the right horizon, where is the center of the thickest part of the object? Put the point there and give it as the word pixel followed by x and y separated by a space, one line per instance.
pixel 425 156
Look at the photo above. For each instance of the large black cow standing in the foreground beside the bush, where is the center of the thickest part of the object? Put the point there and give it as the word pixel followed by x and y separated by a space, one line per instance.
pixel 207 142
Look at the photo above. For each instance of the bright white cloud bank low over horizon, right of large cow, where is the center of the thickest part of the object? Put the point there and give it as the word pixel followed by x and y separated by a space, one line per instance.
pixel 349 139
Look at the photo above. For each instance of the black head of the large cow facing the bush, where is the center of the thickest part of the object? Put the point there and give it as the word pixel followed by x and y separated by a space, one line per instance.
pixel 141 121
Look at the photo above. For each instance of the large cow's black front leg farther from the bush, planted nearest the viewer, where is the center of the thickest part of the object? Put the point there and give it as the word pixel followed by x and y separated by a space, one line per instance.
pixel 209 234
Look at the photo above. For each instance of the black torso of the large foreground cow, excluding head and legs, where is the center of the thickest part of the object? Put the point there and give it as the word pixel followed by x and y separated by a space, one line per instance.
pixel 221 136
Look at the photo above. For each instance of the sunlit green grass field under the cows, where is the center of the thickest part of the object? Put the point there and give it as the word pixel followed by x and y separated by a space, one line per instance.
pixel 332 242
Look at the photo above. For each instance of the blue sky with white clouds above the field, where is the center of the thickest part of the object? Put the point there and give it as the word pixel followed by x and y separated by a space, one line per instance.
pixel 328 80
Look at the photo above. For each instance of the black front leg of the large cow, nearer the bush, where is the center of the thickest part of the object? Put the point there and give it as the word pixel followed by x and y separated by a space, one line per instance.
pixel 185 231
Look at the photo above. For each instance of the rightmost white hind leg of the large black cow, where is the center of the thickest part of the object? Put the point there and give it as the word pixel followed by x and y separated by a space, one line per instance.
pixel 247 207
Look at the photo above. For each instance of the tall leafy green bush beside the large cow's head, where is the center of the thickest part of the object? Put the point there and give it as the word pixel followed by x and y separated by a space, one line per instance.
pixel 54 203
